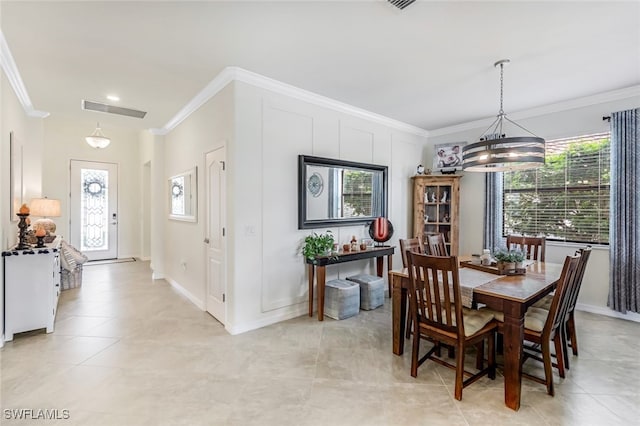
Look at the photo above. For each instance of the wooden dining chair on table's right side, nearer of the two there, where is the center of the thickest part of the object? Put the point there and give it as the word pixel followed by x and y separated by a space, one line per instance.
pixel 541 326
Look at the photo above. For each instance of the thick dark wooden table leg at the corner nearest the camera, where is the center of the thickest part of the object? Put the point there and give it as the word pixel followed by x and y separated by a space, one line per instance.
pixel 513 353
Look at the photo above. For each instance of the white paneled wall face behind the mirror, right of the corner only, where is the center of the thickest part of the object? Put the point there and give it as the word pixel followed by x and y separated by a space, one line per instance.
pixel 270 282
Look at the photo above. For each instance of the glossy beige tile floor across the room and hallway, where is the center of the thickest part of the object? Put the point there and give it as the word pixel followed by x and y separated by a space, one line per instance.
pixel 131 351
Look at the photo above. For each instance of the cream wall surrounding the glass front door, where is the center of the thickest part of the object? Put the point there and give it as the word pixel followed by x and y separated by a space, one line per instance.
pixel 64 141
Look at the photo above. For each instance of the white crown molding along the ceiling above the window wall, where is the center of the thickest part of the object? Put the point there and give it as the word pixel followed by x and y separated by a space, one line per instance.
pixel 614 95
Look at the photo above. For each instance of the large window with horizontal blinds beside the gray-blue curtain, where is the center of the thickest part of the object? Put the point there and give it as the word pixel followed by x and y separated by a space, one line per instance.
pixel 568 198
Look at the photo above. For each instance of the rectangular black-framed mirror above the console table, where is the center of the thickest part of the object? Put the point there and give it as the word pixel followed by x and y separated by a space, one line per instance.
pixel 339 193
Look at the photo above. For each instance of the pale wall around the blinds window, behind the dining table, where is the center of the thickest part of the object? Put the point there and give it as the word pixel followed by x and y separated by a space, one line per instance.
pixel 572 122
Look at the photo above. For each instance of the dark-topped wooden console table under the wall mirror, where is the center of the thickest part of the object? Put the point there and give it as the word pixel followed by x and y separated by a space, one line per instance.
pixel 319 264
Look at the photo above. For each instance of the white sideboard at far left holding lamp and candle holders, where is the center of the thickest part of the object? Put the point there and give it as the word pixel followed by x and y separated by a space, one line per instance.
pixel 31 288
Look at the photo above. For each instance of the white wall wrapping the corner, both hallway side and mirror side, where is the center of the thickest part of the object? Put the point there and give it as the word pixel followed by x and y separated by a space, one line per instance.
pixel 264 133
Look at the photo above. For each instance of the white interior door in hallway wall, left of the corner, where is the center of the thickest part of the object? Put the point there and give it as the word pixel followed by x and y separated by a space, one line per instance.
pixel 215 238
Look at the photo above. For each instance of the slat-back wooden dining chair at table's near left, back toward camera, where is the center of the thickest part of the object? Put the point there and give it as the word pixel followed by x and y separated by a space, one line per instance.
pixel 438 314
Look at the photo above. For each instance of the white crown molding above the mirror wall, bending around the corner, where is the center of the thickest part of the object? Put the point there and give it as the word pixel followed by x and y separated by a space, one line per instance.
pixel 230 74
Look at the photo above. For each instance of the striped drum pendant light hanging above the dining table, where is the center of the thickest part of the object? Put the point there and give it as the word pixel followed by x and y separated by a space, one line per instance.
pixel 495 152
